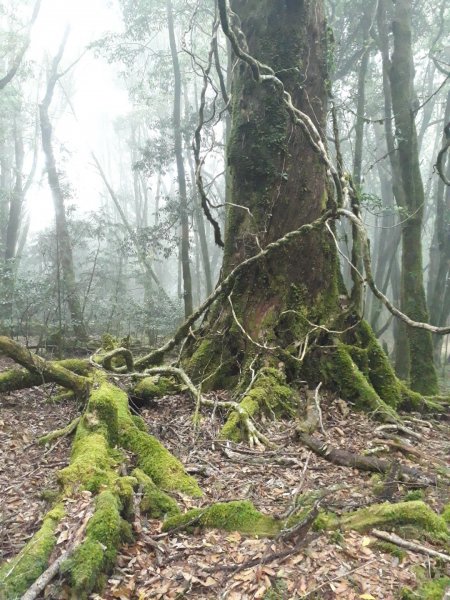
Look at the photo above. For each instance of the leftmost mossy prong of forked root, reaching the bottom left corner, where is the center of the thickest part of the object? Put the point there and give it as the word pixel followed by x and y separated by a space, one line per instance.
pixel 17 575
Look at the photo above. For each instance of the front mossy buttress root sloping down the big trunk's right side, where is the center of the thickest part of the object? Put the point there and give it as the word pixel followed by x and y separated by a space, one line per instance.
pixel 355 385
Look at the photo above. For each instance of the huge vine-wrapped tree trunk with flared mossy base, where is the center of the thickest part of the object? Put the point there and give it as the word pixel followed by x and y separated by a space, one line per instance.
pixel 280 318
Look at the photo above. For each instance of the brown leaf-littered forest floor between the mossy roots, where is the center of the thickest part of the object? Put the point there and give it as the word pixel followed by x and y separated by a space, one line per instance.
pixel 209 564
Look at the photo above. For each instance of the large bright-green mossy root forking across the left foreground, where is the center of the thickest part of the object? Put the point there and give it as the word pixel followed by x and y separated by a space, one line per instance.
pixel 105 427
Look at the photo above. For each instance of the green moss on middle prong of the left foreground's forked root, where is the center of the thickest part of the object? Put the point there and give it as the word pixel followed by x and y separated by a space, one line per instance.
pixel 97 554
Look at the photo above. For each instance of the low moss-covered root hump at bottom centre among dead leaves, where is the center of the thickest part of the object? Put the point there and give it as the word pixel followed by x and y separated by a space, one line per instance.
pixel 239 516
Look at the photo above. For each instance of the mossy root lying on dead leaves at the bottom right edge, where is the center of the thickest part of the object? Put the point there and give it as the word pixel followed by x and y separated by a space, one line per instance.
pixel 389 516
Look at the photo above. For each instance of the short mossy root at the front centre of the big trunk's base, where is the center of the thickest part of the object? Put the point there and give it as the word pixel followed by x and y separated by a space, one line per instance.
pixel 269 395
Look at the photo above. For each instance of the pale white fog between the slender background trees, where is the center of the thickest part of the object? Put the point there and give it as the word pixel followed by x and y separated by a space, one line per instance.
pixel 115 99
